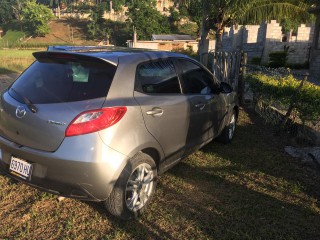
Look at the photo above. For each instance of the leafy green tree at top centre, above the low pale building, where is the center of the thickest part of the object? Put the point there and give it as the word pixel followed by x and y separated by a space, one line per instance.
pixel 146 19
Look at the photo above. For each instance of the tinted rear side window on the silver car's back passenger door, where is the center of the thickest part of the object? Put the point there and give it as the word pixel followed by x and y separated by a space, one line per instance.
pixel 158 77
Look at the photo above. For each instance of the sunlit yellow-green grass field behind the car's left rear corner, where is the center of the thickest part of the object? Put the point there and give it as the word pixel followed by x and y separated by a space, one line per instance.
pixel 14 60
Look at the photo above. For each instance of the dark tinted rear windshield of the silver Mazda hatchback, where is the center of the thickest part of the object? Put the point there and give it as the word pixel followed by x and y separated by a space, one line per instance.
pixel 63 80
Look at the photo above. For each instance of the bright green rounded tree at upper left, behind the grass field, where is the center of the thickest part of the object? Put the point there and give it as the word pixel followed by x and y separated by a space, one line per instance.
pixel 36 17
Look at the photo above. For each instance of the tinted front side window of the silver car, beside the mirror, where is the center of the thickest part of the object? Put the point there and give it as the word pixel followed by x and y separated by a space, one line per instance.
pixel 195 79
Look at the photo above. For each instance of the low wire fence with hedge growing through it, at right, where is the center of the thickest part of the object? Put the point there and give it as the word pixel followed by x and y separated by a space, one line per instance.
pixel 294 101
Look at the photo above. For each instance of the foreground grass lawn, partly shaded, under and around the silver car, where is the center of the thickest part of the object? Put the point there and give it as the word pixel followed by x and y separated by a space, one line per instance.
pixel 249 189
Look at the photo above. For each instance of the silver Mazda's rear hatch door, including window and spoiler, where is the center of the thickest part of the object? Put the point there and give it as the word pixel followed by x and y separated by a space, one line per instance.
pixel 38 107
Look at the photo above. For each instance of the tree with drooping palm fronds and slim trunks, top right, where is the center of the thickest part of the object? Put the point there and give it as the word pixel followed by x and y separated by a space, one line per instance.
pixel 218 14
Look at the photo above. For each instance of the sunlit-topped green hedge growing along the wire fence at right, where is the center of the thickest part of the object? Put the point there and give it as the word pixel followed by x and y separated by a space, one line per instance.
pixel 282 89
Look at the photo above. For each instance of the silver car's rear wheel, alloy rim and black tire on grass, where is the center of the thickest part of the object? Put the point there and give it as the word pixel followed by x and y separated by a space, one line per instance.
pixel 134 188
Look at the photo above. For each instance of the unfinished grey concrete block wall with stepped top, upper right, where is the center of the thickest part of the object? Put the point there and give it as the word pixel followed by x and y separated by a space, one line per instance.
pixel 260 40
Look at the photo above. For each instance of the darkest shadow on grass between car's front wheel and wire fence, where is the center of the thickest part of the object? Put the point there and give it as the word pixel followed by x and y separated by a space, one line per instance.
pixel 258 149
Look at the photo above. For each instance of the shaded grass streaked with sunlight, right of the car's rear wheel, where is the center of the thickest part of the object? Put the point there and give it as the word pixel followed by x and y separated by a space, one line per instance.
pixel 249 189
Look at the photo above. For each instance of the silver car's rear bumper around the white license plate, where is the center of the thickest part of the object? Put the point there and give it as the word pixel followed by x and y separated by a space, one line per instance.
pixel 85 169
